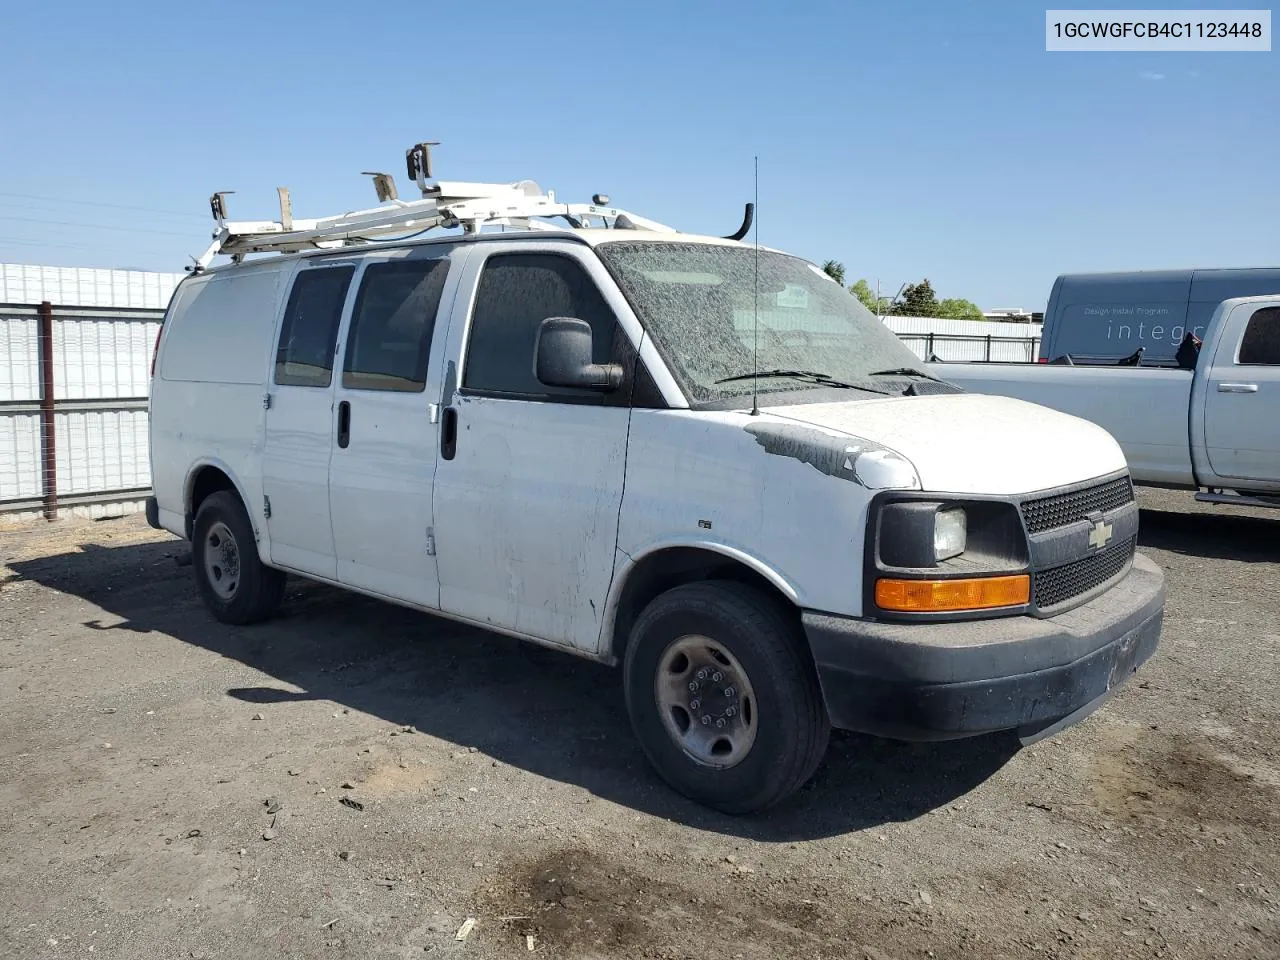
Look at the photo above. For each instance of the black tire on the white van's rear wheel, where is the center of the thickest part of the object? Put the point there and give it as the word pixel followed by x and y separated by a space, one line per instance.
pixel 255 591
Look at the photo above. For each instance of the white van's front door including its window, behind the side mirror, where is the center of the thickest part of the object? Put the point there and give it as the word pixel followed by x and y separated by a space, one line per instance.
pixel 531 478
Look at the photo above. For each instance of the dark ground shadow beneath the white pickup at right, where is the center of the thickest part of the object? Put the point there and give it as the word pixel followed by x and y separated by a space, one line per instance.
pixel 1219 536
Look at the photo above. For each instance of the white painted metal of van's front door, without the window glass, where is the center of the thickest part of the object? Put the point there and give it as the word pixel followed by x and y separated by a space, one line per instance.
pixel 527 513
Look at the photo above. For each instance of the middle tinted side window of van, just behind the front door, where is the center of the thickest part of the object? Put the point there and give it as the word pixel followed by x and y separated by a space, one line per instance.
pixel 391 328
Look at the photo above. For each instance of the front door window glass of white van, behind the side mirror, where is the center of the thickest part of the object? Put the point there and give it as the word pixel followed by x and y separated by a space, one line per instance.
pixel 515 295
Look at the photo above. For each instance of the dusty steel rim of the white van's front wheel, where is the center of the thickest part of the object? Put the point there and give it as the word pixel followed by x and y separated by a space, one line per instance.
pixel 706 702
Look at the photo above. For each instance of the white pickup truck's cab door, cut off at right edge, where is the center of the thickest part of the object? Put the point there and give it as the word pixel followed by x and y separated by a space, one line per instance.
pixel 1242 396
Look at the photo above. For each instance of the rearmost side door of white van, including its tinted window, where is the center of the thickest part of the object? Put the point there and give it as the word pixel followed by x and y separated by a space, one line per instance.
pixel 300 423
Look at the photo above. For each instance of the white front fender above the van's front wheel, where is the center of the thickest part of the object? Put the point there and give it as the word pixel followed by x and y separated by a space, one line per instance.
pixel 700 479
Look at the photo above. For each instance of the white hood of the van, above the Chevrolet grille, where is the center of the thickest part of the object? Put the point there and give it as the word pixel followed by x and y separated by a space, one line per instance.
pixel 971 444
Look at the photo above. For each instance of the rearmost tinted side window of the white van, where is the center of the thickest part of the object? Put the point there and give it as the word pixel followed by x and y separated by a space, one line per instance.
pixel 310 332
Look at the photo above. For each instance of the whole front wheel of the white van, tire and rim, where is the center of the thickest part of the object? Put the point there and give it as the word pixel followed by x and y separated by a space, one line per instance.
pixel 724 697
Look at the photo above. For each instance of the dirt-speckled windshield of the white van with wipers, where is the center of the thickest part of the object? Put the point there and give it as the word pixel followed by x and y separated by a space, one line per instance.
pixel 708 316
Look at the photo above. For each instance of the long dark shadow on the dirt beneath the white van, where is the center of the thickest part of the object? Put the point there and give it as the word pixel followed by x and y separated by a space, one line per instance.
pixel 542 711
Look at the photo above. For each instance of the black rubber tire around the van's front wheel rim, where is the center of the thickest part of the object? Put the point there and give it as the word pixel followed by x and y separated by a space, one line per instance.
pixel 792 724
